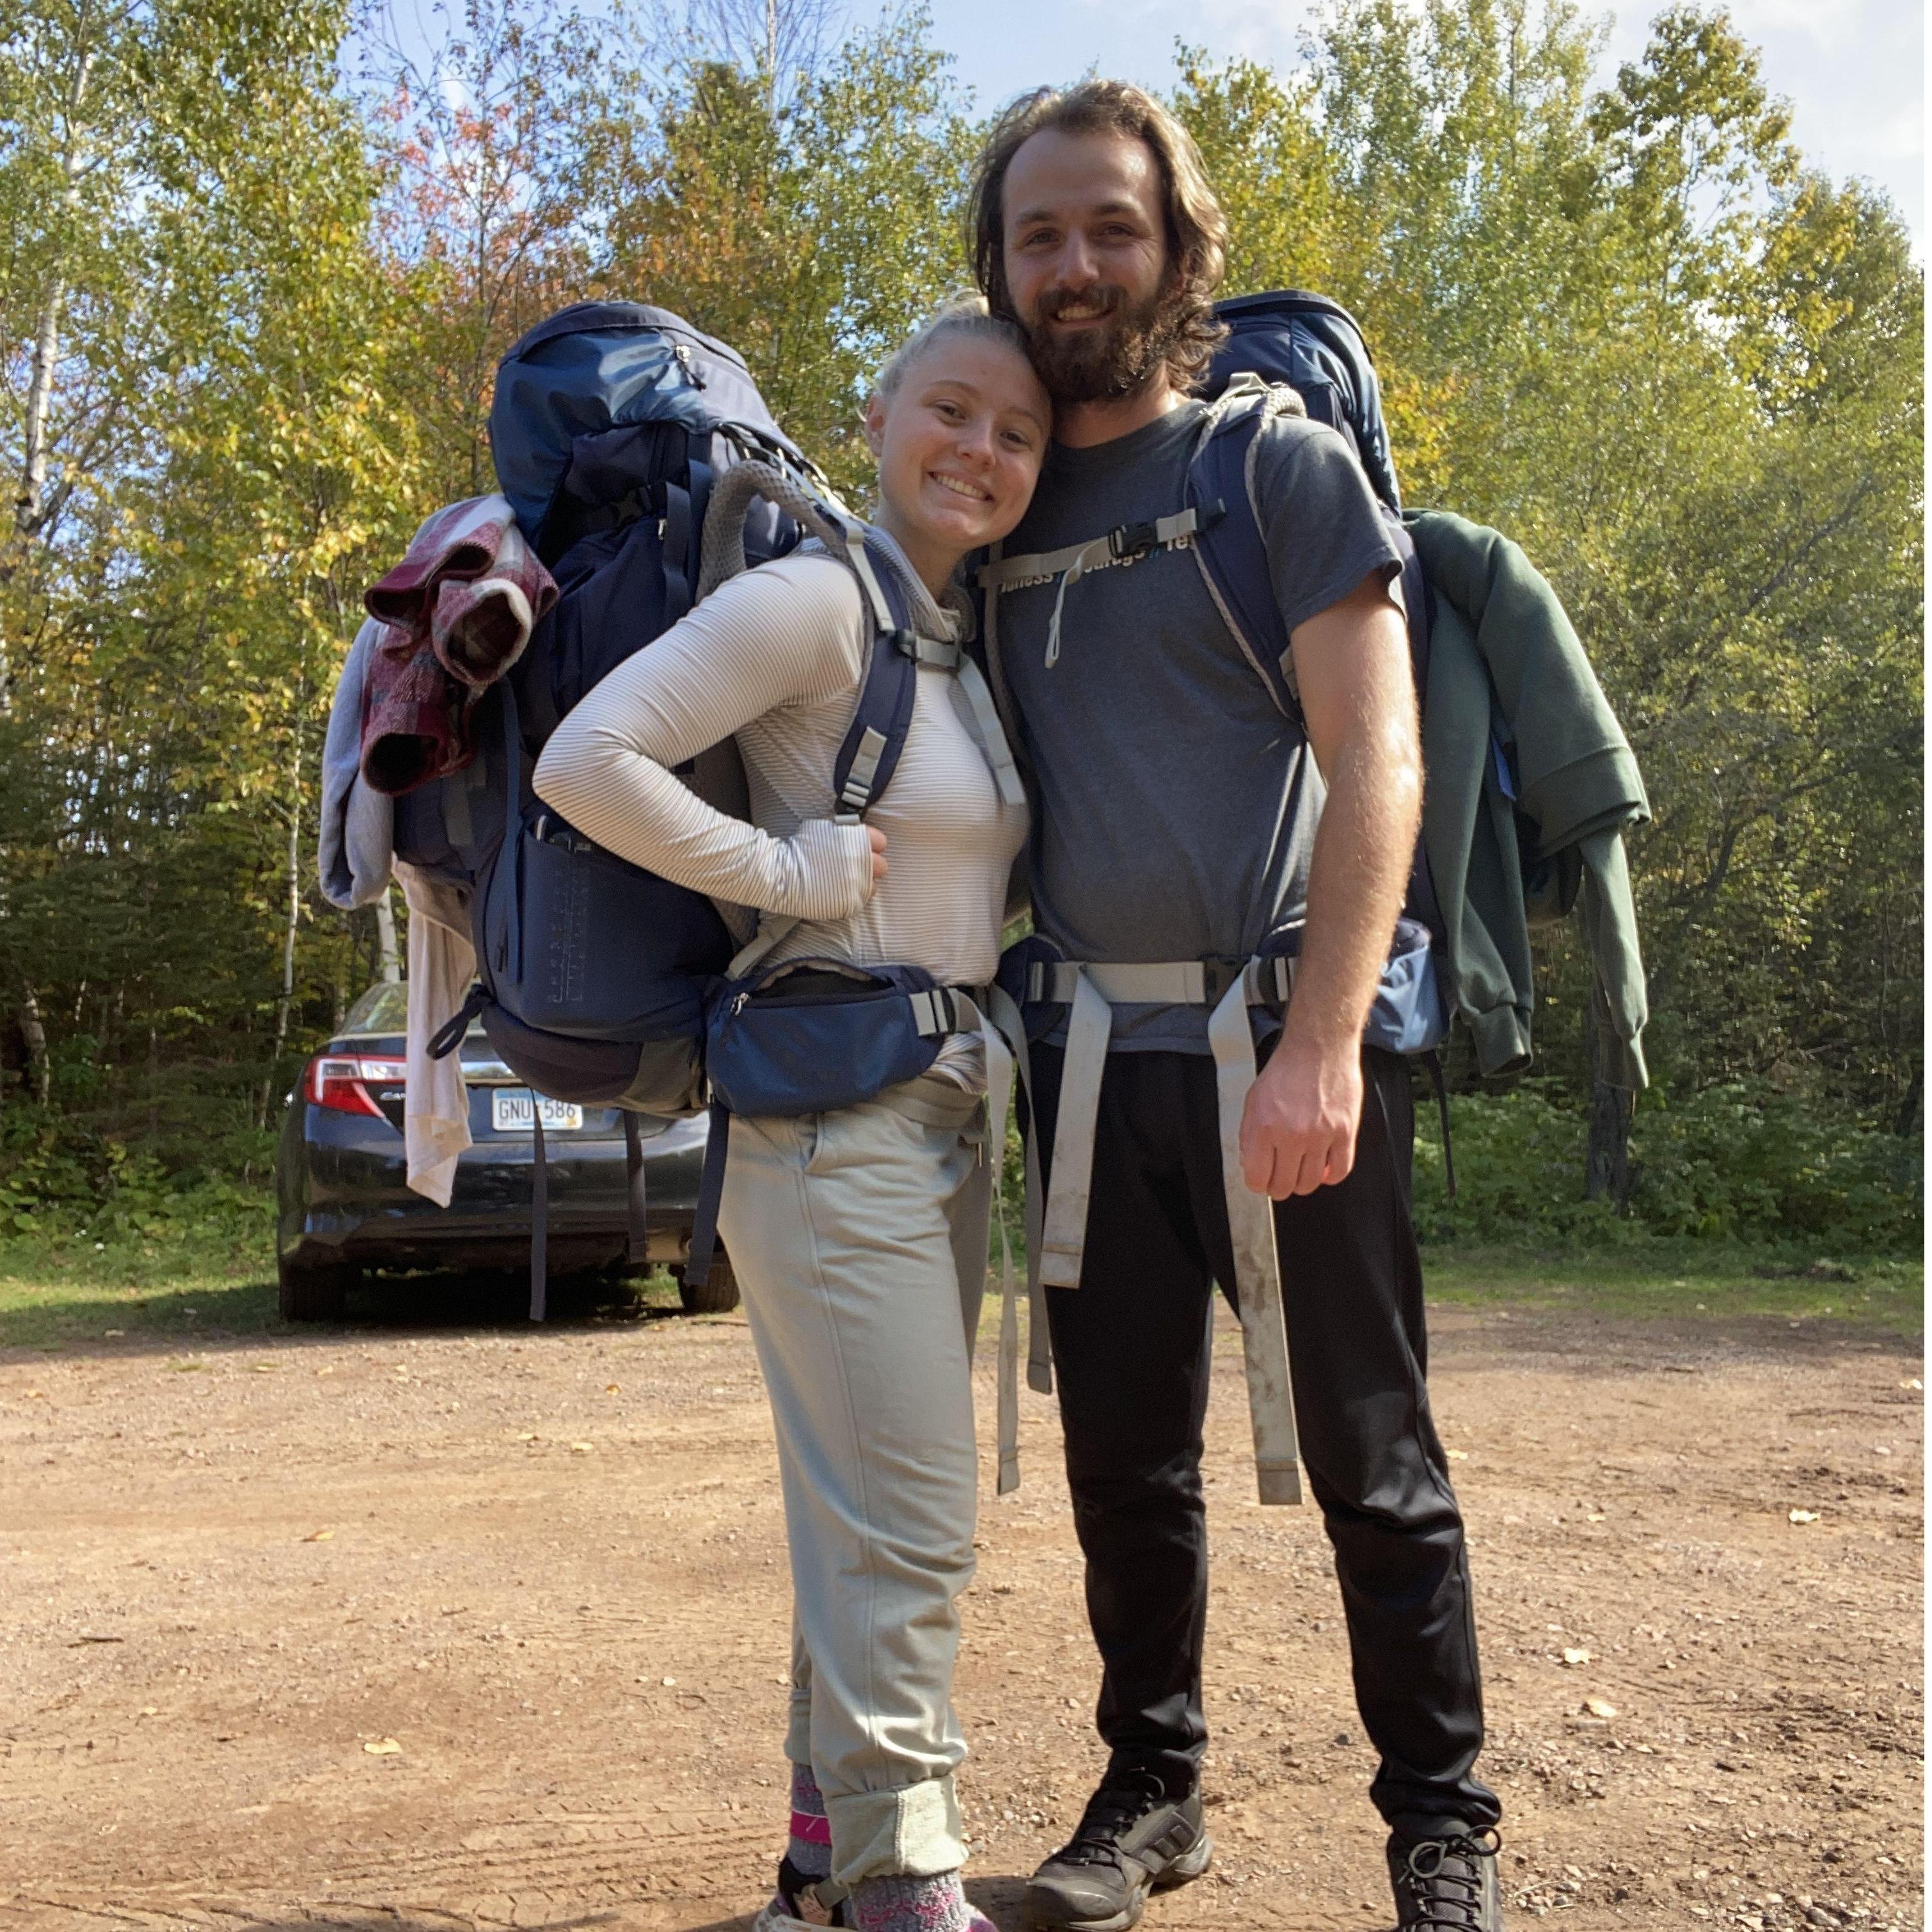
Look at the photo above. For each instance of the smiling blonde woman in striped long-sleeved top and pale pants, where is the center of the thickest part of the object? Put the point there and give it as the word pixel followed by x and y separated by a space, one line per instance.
pixel 859 1237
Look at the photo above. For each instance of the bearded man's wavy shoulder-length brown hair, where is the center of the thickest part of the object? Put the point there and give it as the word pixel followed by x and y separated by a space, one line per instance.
pixel 1197 229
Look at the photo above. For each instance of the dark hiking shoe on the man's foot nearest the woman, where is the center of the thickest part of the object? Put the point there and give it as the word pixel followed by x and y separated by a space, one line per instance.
pixel 1133 1840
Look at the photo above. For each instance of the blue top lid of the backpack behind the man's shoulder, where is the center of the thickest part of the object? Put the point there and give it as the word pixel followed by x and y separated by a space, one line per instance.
pixel 1317 349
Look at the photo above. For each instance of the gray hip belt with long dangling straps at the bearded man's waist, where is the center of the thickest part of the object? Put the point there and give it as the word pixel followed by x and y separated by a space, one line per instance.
pixel 1091 992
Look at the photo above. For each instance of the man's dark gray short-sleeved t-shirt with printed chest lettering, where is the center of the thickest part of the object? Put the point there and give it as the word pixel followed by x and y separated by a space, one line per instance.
pixel 1176 807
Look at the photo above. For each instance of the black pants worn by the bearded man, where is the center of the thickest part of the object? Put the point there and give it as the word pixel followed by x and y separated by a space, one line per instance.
pixel 1133 1350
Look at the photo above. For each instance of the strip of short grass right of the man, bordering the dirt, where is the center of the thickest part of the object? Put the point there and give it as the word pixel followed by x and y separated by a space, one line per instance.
pixel 1684 1280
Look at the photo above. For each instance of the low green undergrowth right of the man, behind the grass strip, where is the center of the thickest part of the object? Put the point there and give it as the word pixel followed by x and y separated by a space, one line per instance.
pixel 1720 1164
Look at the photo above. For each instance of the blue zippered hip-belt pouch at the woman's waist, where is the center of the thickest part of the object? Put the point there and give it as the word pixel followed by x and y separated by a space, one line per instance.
pixel 810 1037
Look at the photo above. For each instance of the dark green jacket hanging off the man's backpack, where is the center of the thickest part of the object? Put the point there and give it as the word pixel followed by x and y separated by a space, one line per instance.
pixel 1508 673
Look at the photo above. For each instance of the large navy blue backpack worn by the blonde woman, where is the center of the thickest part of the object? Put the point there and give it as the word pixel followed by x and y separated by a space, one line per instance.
pixel 644 469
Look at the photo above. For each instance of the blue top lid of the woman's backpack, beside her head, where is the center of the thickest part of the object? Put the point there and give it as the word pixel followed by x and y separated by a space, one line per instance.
pixel 604 366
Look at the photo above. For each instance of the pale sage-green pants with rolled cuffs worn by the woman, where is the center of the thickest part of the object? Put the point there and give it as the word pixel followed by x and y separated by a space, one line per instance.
pixel 859 1241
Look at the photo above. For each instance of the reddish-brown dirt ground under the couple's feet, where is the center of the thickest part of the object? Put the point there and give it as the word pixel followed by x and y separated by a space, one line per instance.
pixel 478 1628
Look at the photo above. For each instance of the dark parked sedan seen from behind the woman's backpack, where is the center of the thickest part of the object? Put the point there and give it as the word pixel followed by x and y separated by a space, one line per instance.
pixel 343 1203
